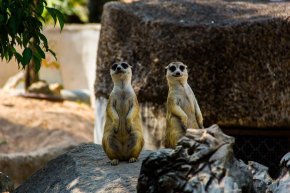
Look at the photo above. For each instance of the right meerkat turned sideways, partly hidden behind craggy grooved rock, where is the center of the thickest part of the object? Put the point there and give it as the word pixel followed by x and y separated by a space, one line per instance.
pixel 182 108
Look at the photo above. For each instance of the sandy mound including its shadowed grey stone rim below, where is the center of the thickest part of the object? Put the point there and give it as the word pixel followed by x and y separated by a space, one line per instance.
pixel 32 132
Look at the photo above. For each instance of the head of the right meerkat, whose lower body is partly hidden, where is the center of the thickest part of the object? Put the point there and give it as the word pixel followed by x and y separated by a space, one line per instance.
pixel 176 72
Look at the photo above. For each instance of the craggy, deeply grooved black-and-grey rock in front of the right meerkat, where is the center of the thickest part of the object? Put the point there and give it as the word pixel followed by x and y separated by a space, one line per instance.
pixel 203 161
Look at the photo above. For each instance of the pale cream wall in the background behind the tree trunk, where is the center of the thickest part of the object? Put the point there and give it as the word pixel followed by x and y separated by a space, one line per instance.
pixel 76 50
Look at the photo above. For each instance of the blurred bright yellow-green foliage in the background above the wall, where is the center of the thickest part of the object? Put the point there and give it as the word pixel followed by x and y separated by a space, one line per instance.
pixel 76 9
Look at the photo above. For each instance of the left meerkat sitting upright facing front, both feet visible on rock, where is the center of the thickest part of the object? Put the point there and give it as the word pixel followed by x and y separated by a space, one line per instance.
pixel 123 134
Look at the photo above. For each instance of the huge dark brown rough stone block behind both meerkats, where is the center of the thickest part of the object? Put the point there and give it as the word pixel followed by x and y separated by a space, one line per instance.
pixel 236 51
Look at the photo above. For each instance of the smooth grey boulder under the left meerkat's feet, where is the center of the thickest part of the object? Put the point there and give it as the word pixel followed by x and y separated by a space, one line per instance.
pixel 84 169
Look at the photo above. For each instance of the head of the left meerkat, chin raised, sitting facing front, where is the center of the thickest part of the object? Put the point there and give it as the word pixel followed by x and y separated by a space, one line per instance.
pixel 121 71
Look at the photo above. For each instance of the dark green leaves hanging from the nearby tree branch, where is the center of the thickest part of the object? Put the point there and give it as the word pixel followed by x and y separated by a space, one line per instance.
pixel 21 25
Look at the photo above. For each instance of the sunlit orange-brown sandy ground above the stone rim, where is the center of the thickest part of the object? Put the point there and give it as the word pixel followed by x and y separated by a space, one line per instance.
pixel 30 124
